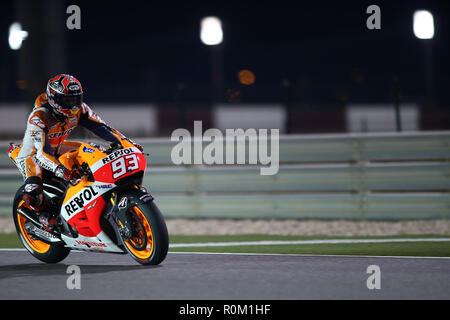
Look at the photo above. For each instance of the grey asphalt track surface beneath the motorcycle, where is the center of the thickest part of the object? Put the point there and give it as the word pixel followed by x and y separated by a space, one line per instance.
pixel 188 276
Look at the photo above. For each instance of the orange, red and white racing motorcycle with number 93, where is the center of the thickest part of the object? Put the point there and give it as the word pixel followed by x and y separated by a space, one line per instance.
pixel 106 210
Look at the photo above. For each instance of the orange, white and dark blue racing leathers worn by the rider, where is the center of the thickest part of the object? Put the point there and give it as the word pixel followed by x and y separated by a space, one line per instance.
pixel 44 142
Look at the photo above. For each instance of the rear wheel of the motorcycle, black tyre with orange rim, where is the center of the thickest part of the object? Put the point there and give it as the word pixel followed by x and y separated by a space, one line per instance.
pixel 49 253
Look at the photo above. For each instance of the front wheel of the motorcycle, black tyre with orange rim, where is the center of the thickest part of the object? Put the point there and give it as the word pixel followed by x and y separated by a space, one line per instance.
pixel 149 241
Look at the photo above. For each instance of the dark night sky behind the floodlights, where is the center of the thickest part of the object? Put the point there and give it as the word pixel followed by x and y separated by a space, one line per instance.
pixel 140 51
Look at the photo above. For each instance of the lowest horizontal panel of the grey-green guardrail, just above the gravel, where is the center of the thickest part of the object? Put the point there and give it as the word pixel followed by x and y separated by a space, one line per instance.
pixel 300 206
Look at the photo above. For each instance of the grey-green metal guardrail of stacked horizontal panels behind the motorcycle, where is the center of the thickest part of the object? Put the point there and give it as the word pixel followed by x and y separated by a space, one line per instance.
pixel 385 176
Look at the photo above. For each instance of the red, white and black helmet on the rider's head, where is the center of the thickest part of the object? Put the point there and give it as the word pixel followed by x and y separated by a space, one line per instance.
pixel 65 95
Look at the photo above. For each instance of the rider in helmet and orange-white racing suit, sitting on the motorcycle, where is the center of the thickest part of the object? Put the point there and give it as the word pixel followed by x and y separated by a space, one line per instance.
pixel 55 115
